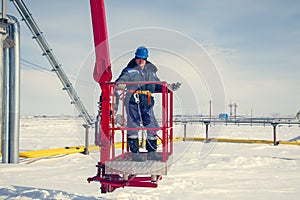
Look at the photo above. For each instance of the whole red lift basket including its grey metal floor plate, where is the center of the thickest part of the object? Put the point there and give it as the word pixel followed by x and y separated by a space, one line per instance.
pixel 116 168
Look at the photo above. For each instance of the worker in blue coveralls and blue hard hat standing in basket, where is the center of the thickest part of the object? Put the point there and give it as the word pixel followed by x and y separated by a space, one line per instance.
pixel 139 102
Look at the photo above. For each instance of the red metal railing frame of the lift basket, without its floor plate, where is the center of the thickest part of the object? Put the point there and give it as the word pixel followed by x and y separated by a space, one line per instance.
pixel 110 182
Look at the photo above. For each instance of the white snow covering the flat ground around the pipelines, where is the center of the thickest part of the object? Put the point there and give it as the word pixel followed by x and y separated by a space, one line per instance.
pixel 200 170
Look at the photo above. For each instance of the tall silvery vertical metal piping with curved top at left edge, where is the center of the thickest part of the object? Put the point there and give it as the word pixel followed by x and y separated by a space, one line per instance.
pixel 10 92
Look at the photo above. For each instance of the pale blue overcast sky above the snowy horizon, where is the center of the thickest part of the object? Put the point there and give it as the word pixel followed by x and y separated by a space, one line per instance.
pixel 246 52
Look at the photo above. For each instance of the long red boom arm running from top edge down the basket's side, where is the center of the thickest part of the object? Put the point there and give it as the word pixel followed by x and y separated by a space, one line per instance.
pixel 102 71
